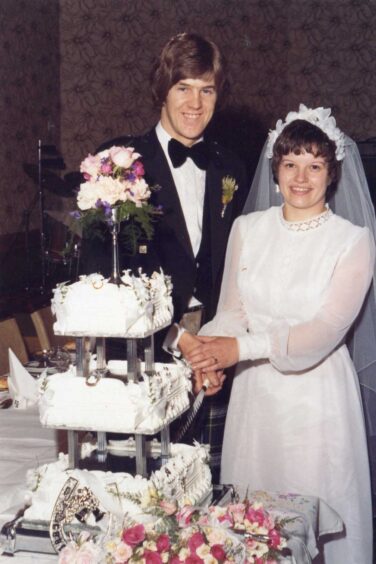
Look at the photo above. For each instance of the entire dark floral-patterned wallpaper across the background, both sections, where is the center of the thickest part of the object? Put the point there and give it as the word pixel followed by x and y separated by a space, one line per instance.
pixel 83 66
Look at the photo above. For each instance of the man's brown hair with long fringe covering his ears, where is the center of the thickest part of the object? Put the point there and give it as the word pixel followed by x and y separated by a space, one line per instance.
pixel 187 55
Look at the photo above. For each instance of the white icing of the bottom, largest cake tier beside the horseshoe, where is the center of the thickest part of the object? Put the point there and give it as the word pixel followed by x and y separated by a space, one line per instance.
pixel 186 478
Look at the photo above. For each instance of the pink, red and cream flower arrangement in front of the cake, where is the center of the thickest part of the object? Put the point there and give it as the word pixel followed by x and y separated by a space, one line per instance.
pixel 240 533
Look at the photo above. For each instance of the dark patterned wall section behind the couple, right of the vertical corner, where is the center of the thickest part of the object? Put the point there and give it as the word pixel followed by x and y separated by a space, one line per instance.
pixel 280 53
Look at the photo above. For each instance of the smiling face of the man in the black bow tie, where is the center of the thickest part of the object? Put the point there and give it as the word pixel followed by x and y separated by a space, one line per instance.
pixel 188 108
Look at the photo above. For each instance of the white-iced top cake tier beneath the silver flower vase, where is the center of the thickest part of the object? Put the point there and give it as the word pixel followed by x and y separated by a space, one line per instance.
pixel 95 307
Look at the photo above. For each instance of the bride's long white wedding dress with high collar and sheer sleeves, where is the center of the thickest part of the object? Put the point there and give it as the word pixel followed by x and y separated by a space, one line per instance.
pixel 290 293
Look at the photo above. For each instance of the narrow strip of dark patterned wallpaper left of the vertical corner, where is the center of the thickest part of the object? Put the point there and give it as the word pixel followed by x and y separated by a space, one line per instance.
pixel 29 102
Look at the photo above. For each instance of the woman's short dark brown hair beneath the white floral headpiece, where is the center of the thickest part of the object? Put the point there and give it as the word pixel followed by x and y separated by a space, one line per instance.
pixel 301 135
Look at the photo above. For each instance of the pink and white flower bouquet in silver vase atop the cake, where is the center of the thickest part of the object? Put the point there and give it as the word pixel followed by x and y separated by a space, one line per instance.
pixel 115 190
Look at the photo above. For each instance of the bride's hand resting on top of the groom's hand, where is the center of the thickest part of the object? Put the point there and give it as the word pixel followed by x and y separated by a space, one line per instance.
pixel 214 353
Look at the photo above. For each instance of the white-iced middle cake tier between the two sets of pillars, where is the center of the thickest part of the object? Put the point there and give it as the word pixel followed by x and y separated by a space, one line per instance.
pixel 111 405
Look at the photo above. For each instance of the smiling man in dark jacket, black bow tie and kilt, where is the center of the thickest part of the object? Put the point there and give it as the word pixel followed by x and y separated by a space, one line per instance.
pixel 203 187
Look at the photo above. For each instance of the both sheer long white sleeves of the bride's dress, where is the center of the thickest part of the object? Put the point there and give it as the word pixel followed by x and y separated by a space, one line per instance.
pixel 295 347
